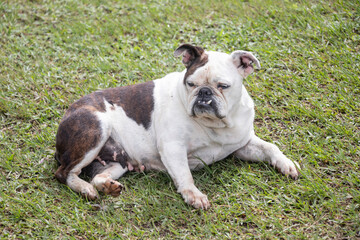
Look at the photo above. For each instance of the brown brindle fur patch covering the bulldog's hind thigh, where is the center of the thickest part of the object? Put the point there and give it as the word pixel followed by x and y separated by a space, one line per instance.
pixel 78 133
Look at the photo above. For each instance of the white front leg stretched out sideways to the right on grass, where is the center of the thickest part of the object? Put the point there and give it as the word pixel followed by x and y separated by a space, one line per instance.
pixel 258 150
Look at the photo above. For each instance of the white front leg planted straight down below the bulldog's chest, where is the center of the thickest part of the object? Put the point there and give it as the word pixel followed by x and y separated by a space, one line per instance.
pixel 174 157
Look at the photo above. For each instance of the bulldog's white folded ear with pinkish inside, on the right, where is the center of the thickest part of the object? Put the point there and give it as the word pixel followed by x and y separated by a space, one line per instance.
pixel 244 62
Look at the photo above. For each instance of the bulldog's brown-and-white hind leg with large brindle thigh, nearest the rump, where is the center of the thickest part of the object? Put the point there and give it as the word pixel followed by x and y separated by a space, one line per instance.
pixel 79 139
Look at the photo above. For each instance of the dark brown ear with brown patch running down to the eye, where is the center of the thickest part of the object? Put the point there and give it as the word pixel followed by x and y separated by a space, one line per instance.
pixel 193 58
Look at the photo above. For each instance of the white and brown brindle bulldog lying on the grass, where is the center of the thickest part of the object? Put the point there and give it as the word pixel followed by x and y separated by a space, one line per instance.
pixel 176 124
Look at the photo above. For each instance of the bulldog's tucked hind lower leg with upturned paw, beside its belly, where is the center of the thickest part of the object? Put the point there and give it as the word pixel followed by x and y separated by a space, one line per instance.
pixel 104 180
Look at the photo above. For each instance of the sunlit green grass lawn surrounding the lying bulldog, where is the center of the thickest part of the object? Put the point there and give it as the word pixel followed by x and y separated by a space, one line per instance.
pixel 307 102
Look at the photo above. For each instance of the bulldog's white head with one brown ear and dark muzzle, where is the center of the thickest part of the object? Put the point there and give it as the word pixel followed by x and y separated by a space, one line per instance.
pixel 213 80
